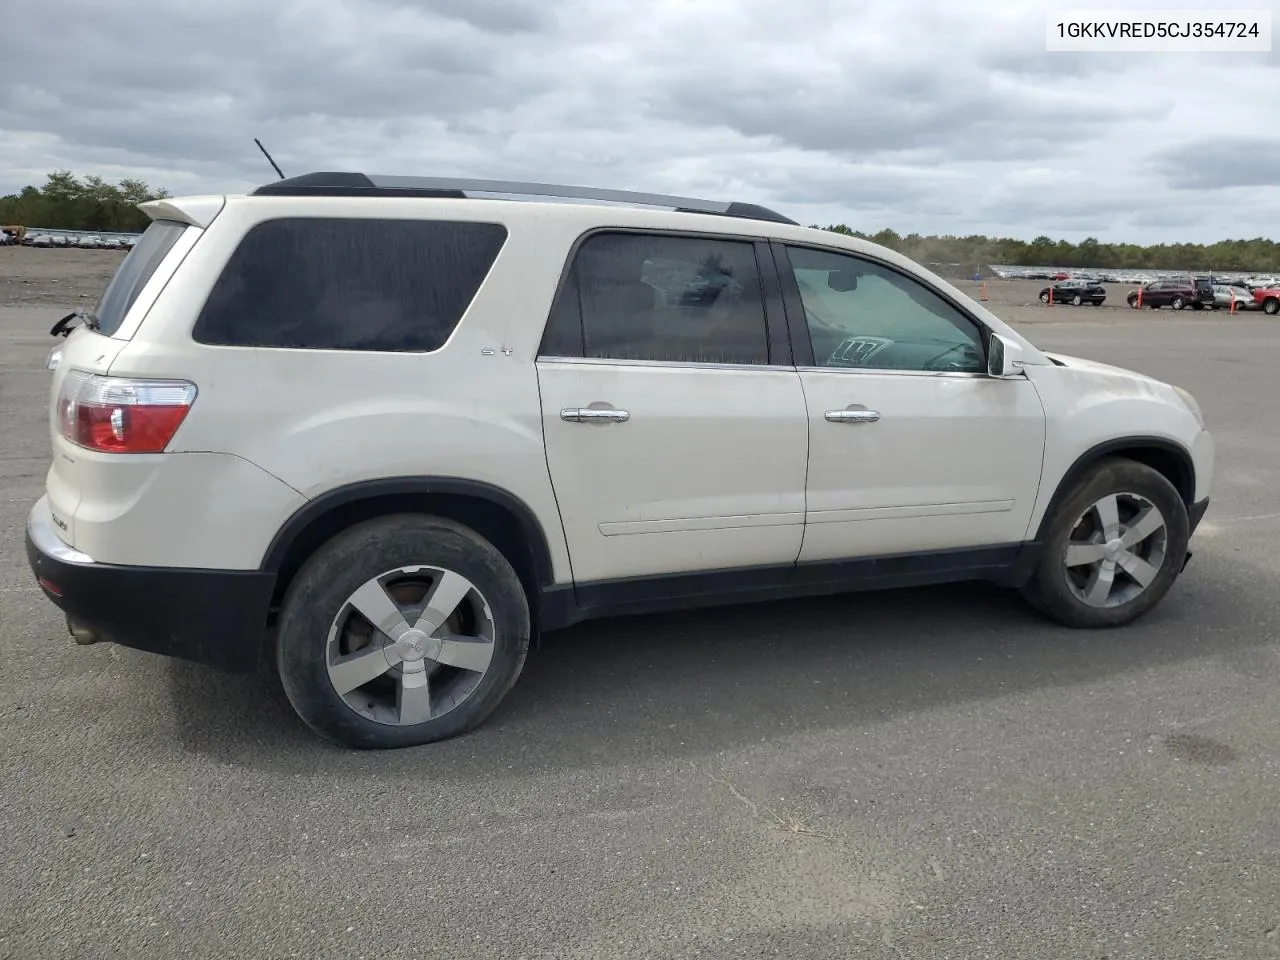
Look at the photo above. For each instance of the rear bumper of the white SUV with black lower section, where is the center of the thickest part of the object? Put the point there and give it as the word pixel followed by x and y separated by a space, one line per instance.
pixel 208 616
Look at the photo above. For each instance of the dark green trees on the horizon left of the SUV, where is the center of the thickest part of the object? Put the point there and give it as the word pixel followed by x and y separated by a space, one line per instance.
pixel 68 203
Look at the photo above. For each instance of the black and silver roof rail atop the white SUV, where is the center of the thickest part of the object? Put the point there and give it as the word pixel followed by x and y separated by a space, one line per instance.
pixel 359 185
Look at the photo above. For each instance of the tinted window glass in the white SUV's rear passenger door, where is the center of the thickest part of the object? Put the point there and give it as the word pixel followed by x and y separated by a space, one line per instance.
pixel 683 300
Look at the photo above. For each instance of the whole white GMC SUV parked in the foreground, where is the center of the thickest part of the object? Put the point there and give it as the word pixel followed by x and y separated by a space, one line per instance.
pixel 382 431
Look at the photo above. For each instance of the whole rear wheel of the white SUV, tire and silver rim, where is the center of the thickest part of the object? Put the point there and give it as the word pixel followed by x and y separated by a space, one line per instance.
pixel 400 632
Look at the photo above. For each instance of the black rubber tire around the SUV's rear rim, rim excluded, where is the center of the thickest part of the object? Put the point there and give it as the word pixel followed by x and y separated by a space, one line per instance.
pixel 367 551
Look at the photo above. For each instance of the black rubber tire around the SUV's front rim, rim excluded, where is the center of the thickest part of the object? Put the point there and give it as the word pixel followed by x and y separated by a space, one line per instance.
pixel 1049 591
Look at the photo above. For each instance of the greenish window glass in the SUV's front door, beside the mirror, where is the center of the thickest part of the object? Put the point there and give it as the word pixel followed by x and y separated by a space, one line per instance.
pixel 862 314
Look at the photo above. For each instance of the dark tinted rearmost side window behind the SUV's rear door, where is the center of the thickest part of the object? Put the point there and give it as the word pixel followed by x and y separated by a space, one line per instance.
pixel 319 284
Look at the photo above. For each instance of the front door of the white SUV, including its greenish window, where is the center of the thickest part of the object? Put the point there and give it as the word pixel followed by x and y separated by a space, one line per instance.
pixel 913 447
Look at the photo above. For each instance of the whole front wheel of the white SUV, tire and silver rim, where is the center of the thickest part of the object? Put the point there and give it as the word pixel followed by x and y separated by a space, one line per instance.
pixel 1113 548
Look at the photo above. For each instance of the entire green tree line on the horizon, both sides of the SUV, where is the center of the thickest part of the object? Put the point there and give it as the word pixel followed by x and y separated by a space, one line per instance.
pixel 72 203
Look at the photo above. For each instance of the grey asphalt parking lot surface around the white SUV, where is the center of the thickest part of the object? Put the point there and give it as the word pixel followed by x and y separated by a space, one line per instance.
pixel 921 774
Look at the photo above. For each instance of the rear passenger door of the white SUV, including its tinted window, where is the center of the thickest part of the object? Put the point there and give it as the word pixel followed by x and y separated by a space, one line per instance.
pixel 675 423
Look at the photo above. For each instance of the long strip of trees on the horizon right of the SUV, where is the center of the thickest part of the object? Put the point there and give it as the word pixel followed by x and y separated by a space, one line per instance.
pixel 973 253
